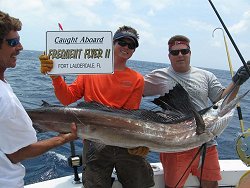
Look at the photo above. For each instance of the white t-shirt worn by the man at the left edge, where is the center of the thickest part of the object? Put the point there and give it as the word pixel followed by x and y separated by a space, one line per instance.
pixel 16 132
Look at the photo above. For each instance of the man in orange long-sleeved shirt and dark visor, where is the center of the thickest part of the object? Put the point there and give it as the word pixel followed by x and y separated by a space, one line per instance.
pixel 123 89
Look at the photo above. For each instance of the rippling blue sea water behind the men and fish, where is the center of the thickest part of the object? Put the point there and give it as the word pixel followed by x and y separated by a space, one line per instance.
pixel 31 87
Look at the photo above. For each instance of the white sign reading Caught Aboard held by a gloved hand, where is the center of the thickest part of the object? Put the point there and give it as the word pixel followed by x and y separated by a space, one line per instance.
pixel 80 52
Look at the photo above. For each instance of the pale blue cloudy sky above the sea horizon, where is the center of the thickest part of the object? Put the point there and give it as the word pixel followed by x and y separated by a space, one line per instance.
pixel 155 20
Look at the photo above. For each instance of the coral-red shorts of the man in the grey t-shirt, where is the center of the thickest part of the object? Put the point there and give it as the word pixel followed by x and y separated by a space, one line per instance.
pixel 175 164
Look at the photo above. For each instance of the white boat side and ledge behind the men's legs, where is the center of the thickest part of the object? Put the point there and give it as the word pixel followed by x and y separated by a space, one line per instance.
pixel 231 171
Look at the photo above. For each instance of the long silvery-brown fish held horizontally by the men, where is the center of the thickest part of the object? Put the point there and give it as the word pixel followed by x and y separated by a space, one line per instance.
pixel 171 131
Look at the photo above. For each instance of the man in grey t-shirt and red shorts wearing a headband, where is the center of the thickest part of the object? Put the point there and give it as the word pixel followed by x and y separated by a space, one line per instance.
pixel 202 86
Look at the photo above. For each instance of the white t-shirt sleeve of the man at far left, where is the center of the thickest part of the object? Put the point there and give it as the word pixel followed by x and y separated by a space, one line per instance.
pixel 16 130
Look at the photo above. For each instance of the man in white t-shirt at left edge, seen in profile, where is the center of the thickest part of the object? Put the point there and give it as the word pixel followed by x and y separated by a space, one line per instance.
pixel 17 136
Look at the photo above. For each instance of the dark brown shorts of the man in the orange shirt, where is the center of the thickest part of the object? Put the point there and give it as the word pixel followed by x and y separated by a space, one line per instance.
pixel 132 171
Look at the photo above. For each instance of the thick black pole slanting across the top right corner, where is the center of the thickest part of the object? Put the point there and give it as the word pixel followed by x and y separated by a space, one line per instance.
pixel 230 37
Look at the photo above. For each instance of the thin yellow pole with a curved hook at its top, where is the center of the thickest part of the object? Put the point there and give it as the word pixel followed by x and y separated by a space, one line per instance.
pixel 232 74
